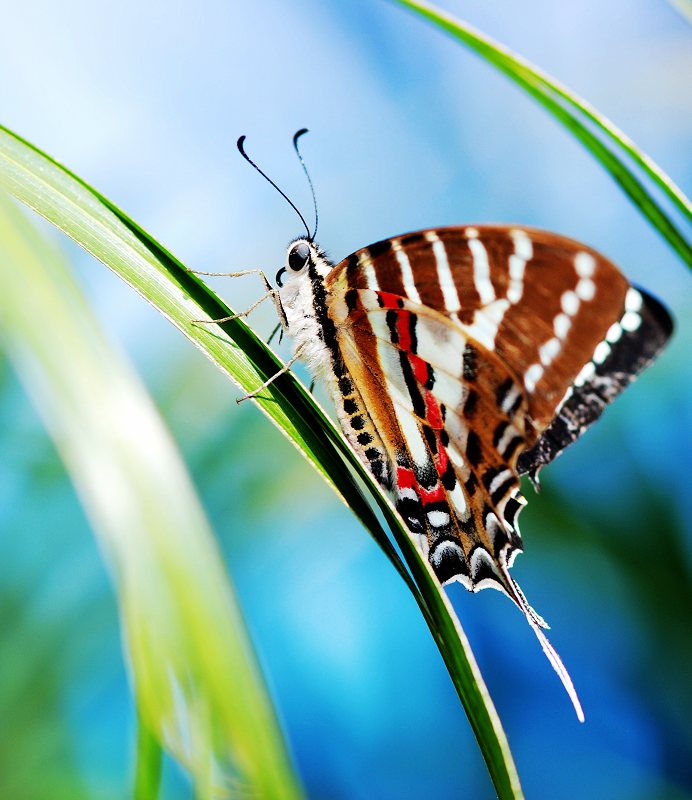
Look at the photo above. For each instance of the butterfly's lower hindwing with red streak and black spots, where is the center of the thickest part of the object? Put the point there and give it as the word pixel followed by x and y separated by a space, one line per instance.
pixel 453 481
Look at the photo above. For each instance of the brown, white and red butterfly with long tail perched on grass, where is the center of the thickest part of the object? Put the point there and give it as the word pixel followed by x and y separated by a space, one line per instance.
pixel 460 359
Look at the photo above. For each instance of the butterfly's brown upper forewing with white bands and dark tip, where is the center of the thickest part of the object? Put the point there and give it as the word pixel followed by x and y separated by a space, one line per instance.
pixel 549 307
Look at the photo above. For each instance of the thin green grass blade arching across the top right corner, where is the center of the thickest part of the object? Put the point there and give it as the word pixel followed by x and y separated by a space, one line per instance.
pixel 557 99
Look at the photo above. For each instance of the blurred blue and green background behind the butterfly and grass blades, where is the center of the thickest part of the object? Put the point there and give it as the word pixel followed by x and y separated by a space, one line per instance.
pixel 145 101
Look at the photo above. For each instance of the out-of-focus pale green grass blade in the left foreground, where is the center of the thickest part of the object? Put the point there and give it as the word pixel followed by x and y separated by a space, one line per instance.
pixel 197 684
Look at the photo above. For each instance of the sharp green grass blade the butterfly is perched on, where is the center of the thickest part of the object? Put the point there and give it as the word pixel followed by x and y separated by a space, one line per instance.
pixel 103 230
